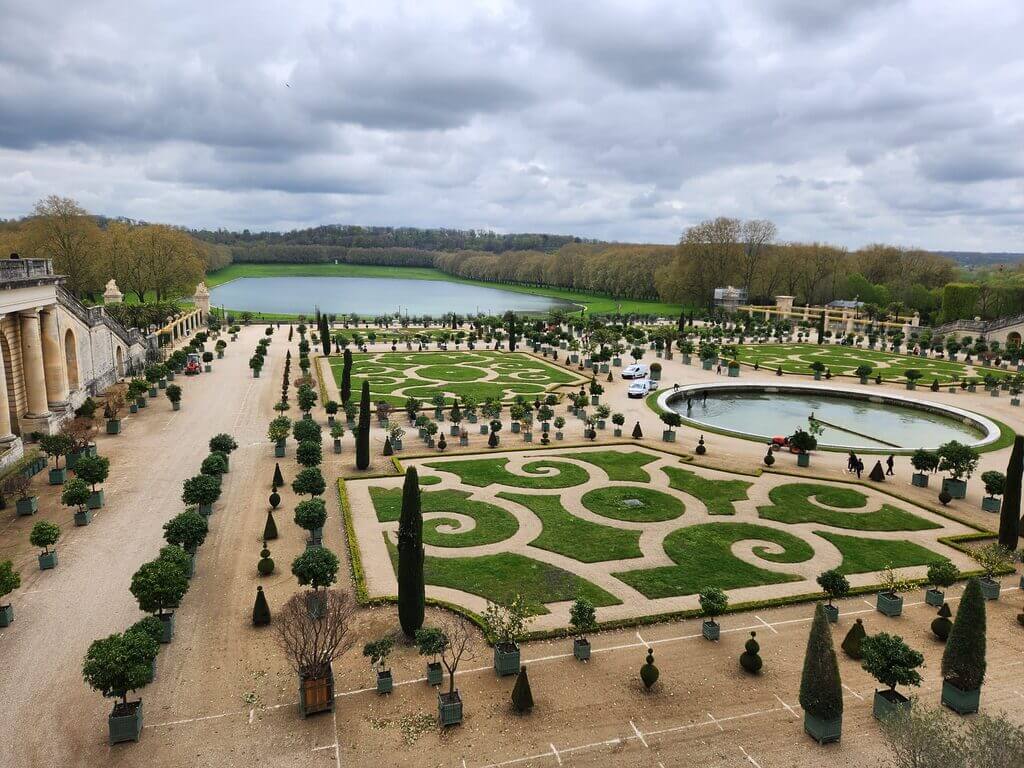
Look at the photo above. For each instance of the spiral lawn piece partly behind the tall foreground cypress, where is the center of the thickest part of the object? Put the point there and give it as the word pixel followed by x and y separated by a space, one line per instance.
pixel 493 524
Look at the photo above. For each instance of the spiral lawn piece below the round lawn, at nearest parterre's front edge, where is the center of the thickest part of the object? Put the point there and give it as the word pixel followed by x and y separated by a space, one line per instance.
pixel 704 559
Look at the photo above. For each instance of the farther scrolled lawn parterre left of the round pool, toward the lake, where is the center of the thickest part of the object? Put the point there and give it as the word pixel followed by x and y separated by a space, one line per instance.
pixel 396 376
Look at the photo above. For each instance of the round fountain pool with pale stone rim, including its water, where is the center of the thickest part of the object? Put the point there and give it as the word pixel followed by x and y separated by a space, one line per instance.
pixel 849 418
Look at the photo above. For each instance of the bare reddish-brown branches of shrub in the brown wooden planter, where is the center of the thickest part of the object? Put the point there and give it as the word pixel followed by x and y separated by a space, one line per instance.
pixel 313 643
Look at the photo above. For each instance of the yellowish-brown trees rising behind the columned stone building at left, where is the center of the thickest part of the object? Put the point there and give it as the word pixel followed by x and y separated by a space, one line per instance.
pixel 157 261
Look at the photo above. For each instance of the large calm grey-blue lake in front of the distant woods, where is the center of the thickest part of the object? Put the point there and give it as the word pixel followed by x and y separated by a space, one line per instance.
pixel 370 296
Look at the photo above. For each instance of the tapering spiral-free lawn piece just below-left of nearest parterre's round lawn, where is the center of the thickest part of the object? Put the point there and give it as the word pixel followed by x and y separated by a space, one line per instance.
pixel 571 536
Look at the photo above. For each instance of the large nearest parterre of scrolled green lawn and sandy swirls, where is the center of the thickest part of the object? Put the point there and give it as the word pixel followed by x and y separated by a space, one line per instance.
pixel 708 527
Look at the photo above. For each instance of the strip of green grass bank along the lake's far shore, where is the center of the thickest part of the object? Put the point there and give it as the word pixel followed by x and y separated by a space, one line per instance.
pixel 593 303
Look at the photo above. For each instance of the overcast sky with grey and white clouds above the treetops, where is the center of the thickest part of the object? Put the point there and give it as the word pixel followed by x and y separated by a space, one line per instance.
pixel 844 121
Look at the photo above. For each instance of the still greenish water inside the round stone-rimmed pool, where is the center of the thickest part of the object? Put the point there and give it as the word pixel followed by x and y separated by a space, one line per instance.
pixel 779 414
